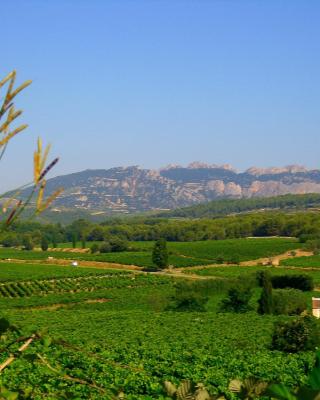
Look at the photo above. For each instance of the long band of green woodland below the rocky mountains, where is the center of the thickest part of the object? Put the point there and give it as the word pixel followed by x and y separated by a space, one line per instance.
pixel 305 226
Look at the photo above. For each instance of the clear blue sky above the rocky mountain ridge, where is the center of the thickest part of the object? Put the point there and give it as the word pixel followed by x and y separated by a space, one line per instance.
pixel 133 82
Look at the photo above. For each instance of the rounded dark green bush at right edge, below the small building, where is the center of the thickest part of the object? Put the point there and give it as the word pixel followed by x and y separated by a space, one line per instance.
pixel 296 335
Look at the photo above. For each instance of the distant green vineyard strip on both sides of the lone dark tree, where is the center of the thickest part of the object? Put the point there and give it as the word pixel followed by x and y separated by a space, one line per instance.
pixel 181 254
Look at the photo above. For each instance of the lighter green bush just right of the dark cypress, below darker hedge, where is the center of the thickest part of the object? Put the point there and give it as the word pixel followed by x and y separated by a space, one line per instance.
pixel 288 301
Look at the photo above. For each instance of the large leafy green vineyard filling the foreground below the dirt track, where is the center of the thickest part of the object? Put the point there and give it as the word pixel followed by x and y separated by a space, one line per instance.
pixel 110 330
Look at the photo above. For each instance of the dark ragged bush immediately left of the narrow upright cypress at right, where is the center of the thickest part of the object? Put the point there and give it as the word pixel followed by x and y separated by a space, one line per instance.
pixel 237 300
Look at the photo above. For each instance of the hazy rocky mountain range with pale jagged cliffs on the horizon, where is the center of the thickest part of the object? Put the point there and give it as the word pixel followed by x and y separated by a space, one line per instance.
pixel 134 189
